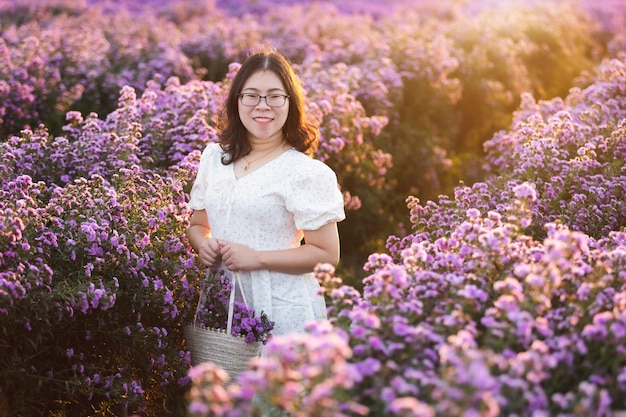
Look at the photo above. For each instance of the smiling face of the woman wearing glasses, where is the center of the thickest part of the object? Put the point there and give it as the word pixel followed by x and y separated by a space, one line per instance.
pixel 263 122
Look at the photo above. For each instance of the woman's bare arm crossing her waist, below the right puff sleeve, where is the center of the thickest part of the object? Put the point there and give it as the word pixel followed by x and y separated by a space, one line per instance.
pixel 321 246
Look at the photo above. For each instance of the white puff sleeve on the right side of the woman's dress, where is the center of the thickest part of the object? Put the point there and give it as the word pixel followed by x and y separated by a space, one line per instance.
pixel 314 198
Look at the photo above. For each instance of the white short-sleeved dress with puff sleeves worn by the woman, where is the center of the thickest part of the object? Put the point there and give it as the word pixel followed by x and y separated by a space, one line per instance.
pixel 268 209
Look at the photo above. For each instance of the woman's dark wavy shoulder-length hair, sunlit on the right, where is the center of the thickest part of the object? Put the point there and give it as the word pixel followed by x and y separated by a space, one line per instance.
pixel 300 131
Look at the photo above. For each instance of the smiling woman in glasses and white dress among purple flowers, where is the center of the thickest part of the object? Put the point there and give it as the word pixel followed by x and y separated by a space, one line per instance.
pixel 262 205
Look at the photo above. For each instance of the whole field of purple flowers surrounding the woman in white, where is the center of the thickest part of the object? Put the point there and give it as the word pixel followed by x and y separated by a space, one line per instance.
pixel 481 152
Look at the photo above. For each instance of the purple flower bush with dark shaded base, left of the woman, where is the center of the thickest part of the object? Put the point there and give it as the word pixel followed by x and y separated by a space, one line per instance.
pixel 96 276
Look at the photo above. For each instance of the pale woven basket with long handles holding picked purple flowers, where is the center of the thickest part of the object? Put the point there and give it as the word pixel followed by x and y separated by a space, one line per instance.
pixel 231 353
